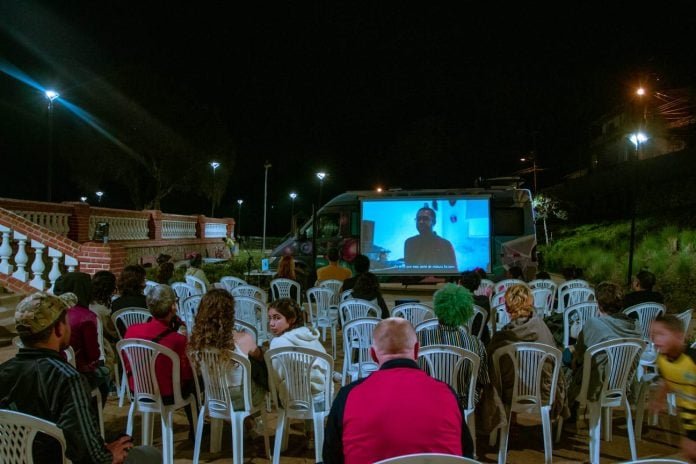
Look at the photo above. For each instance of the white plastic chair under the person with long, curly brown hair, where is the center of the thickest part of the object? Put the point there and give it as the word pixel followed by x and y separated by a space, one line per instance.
pixel 219 404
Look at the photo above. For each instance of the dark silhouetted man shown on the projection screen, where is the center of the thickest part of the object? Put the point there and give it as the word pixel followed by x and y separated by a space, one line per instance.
pixel 427 248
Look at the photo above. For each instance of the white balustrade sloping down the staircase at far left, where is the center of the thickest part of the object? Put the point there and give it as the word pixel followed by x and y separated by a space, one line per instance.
pixel 19 271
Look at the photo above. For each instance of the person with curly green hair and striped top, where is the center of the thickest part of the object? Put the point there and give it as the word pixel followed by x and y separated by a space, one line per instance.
pixel 454 307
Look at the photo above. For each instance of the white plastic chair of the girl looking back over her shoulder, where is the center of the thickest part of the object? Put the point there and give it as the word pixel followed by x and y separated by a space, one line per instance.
pixel 290 370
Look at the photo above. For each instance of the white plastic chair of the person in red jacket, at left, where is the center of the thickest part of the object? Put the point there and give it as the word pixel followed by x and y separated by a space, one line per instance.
pixel 141 356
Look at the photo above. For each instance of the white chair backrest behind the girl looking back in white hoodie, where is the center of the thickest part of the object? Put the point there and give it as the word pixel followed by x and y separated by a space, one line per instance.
pixel 294 368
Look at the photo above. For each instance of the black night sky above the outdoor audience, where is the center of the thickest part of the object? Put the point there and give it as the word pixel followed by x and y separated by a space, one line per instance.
pixel 375 94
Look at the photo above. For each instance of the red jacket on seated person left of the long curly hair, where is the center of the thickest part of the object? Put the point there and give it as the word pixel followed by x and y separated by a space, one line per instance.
pixel 163 368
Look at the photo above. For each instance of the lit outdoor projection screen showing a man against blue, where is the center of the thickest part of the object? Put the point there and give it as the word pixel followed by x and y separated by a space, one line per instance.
pixel 455 240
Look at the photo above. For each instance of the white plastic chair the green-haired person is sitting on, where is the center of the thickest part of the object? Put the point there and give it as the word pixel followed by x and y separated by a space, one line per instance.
pixel 458 368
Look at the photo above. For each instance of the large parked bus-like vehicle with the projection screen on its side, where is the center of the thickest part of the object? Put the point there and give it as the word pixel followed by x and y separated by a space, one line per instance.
pixel 490 226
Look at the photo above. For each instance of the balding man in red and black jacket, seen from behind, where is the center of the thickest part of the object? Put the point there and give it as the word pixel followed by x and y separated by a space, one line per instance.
pixel 397 410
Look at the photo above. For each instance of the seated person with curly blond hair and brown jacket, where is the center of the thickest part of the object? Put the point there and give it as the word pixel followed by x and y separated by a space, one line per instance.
pixel 525 327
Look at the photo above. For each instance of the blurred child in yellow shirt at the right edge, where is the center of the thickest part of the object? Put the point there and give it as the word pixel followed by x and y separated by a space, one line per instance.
pixel 677 367
